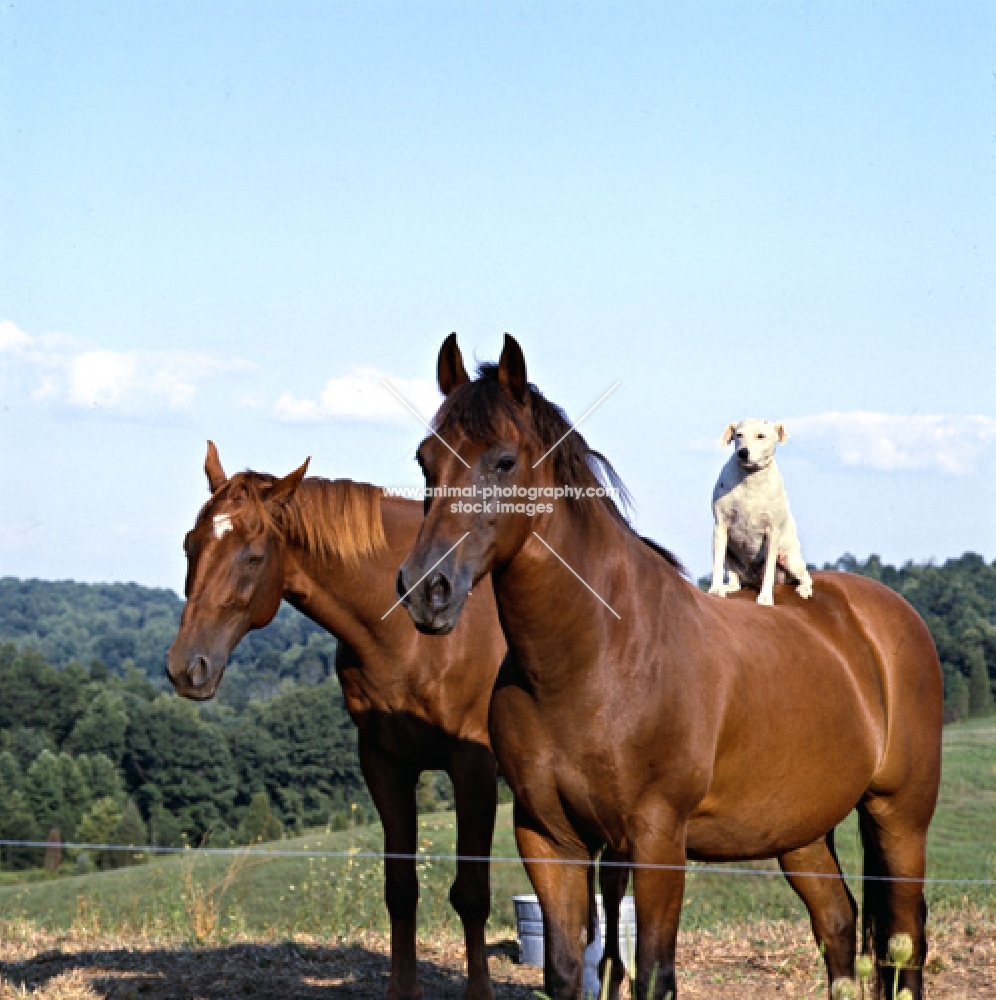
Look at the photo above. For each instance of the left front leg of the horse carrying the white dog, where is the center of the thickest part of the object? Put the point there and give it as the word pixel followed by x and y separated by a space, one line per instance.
pixel 560 877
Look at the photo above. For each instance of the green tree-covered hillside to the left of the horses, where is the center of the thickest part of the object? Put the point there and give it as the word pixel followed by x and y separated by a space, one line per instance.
pixel 92 737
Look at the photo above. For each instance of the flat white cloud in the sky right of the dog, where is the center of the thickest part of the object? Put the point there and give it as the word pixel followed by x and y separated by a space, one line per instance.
pixel 888 442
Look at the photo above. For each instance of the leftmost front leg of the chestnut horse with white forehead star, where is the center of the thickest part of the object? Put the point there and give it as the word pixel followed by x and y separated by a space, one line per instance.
pixel 393 792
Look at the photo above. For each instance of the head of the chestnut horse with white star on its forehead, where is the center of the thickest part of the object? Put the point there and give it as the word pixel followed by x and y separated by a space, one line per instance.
pixel 235 573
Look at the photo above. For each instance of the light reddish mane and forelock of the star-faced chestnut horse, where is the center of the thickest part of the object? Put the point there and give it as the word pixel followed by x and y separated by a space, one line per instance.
pixel 328 518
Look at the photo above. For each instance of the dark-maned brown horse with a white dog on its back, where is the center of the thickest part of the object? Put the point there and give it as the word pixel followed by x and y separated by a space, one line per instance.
pixel 645 716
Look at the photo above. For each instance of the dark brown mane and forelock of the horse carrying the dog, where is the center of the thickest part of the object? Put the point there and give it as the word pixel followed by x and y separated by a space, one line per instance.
pixel 485 412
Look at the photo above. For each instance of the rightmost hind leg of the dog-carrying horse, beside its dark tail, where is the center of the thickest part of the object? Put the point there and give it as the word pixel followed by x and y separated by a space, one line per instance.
pixel 894 835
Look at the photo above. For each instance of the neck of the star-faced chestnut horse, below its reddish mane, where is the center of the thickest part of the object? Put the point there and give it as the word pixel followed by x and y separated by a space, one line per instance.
pixel 351 599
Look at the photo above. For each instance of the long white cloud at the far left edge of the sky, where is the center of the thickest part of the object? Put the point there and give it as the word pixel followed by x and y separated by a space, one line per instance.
pixel 60 369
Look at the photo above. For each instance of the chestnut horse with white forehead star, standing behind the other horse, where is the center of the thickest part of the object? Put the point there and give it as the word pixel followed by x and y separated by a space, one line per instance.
pixel 332 549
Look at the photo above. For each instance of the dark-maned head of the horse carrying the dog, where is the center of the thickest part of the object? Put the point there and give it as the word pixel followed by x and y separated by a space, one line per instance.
pixel 499 452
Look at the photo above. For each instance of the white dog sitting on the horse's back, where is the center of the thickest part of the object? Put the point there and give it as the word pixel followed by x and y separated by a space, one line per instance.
pixel 755 533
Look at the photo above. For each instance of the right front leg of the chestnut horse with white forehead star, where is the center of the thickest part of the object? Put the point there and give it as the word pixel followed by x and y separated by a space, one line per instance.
pixel 473 771
